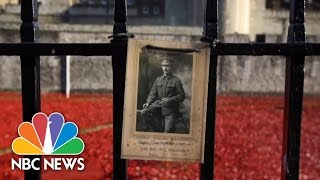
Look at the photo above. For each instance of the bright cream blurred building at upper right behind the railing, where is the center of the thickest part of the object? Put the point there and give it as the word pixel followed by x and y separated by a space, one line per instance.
pixel 258 18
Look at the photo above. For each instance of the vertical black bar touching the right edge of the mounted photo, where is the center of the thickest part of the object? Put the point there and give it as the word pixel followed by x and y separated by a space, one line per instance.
pixel 210 34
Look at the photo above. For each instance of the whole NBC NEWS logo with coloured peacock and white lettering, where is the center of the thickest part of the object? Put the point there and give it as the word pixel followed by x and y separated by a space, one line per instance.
pixel 48 136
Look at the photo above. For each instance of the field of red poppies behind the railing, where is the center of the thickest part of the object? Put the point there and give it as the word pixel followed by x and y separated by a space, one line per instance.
pixel 248 138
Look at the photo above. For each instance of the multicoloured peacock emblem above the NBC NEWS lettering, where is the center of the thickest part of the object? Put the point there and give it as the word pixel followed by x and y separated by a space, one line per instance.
pixel 48 136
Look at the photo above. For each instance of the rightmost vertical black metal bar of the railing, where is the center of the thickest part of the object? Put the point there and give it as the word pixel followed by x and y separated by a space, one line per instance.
pixel 293 95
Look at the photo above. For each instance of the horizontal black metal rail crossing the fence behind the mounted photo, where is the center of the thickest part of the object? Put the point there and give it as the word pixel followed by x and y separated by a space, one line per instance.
pixel 106 49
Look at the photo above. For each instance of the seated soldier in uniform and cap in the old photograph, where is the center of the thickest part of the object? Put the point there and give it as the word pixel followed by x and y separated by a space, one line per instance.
pixel 163 101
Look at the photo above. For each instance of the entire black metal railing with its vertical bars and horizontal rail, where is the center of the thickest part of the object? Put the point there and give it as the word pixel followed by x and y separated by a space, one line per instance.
pixel 295 50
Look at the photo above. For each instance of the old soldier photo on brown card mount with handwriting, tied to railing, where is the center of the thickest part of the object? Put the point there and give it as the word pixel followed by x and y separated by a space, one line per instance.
pixel 165 100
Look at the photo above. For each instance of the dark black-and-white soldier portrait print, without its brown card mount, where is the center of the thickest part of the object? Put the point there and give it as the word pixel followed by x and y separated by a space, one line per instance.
pixel 163 107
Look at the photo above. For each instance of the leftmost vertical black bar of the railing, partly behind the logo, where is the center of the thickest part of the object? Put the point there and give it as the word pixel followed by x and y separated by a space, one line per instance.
pixel 30 72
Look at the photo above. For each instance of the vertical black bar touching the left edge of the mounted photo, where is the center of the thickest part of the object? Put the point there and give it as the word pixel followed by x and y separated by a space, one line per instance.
pixel 119 58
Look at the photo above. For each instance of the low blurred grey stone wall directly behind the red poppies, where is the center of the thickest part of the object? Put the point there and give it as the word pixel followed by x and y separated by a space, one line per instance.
pixel 236 74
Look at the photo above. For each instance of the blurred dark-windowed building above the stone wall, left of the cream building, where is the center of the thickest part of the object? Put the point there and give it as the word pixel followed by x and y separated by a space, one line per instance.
pixel 140 12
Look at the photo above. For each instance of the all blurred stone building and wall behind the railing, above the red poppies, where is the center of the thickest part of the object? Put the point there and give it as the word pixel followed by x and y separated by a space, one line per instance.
pixel 79 21
